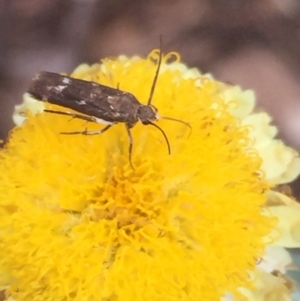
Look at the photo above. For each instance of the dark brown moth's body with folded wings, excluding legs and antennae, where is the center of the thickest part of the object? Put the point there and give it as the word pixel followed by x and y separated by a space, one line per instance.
pixel 106 105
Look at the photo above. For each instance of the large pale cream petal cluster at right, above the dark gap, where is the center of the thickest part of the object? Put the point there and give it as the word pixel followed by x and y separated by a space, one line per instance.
pixel 281 164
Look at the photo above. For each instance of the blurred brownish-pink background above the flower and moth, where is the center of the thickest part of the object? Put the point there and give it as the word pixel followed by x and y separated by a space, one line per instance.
pixel 253 43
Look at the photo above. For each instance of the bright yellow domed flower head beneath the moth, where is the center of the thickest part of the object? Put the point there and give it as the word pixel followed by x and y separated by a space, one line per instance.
pixel 78 223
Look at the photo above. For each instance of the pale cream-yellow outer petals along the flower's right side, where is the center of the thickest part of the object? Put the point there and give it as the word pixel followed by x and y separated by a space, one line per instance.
pixel 281 164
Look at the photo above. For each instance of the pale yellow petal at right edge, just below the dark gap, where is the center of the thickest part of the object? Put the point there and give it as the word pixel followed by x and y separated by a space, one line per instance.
pixel 288 213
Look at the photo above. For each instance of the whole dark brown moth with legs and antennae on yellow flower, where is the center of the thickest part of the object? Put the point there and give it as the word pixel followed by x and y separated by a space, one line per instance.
pixel 98 103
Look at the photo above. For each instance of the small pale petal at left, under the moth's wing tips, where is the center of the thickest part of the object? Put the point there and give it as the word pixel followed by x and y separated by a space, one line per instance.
pixel 29 104
